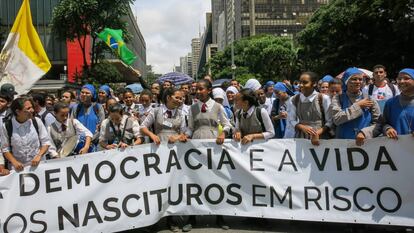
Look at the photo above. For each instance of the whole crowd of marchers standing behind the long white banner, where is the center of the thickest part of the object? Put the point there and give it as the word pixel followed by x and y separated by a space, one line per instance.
pixel 353 106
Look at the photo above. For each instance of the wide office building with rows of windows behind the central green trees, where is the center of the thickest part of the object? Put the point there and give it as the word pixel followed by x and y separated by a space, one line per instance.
pixel 243 18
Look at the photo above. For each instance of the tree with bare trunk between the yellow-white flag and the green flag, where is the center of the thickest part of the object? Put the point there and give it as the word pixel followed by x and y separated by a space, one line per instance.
pixel 74 20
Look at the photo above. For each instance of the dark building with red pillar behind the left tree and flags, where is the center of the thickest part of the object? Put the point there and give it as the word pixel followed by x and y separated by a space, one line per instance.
pixel 62 53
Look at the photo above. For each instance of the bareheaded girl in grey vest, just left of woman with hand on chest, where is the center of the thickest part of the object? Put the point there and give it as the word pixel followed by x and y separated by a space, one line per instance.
pixel 308 112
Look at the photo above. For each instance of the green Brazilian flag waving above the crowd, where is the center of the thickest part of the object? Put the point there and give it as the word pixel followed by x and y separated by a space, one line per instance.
pixel 113 38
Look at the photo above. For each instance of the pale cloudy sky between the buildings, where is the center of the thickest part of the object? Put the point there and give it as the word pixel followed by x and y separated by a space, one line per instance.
pixel 168 27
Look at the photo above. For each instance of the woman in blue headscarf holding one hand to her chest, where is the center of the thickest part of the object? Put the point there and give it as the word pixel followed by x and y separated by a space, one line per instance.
pixel 351 111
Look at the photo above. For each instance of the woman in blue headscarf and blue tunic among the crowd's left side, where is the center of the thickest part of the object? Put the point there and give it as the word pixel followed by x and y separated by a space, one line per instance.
pixel 89 113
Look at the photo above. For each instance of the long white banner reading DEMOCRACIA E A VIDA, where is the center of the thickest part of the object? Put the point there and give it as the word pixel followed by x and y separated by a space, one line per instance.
pixel 283 179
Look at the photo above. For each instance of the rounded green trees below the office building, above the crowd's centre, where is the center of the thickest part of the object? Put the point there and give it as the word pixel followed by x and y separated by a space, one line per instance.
pixel 264 57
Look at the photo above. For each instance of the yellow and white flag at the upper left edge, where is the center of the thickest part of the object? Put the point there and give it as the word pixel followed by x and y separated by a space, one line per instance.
pixel 23 61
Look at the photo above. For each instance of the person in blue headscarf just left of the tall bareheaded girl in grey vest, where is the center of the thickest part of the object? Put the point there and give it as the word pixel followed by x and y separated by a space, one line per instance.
pixel 279 108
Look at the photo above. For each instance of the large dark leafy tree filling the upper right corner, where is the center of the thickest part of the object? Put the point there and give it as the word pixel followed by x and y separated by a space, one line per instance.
pixel 359 33
